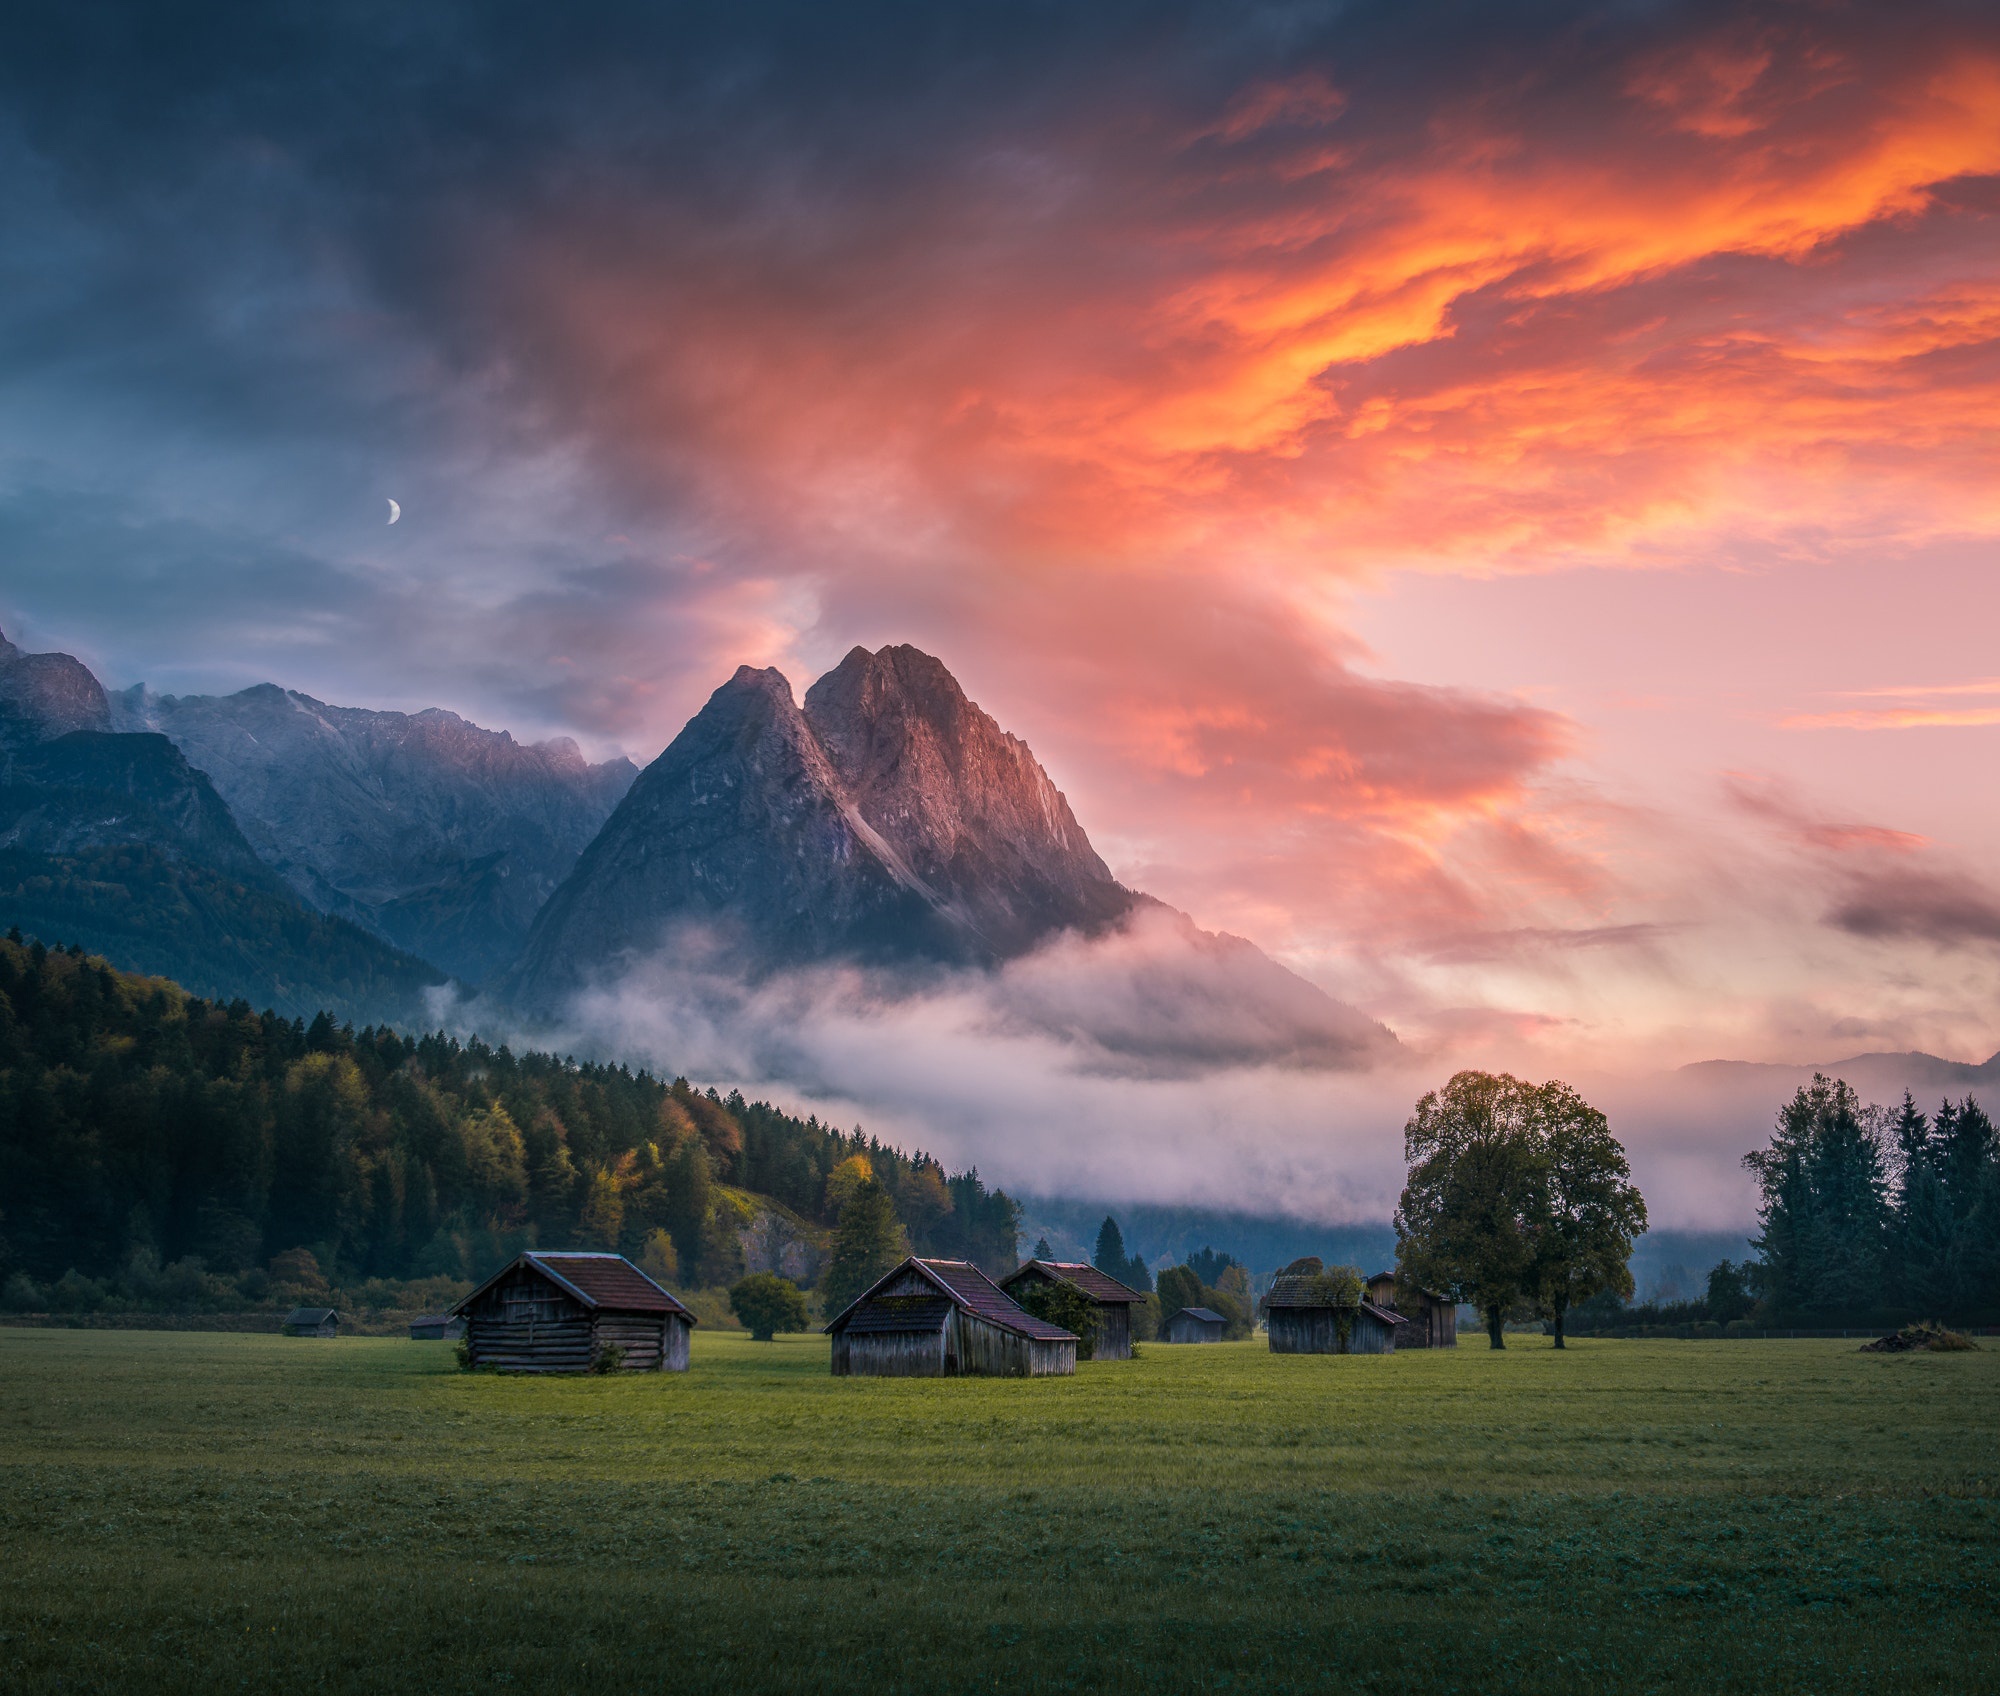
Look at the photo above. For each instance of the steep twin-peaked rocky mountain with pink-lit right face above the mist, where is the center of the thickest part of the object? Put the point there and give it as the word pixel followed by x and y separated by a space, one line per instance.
pixel 885 823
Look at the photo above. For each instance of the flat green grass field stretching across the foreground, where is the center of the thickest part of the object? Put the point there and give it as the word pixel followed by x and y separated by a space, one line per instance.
pixel 213 1513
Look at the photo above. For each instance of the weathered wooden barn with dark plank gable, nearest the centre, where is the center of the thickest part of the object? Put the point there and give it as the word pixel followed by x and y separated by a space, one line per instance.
pixel 945 1319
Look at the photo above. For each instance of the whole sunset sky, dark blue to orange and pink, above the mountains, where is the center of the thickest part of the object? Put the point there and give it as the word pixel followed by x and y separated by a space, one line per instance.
pixel 1493 503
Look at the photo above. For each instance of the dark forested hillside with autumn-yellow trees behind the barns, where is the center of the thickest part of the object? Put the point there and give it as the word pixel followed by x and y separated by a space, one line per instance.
pixel 175 1143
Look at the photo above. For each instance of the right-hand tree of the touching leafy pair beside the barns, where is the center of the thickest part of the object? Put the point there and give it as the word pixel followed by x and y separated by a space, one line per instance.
pixel 1585 1207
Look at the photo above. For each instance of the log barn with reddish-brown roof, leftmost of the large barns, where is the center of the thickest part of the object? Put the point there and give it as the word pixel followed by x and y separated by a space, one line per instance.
pixel 565 1313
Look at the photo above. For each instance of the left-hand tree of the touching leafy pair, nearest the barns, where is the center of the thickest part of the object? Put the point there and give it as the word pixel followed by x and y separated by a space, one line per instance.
pixel 1471 1201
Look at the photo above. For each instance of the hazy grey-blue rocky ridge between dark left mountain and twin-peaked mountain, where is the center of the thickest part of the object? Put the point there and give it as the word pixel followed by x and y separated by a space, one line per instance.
pixel 433 833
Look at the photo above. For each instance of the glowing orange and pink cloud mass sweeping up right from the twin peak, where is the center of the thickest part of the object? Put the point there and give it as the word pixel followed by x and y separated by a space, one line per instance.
pixel 1117 411
